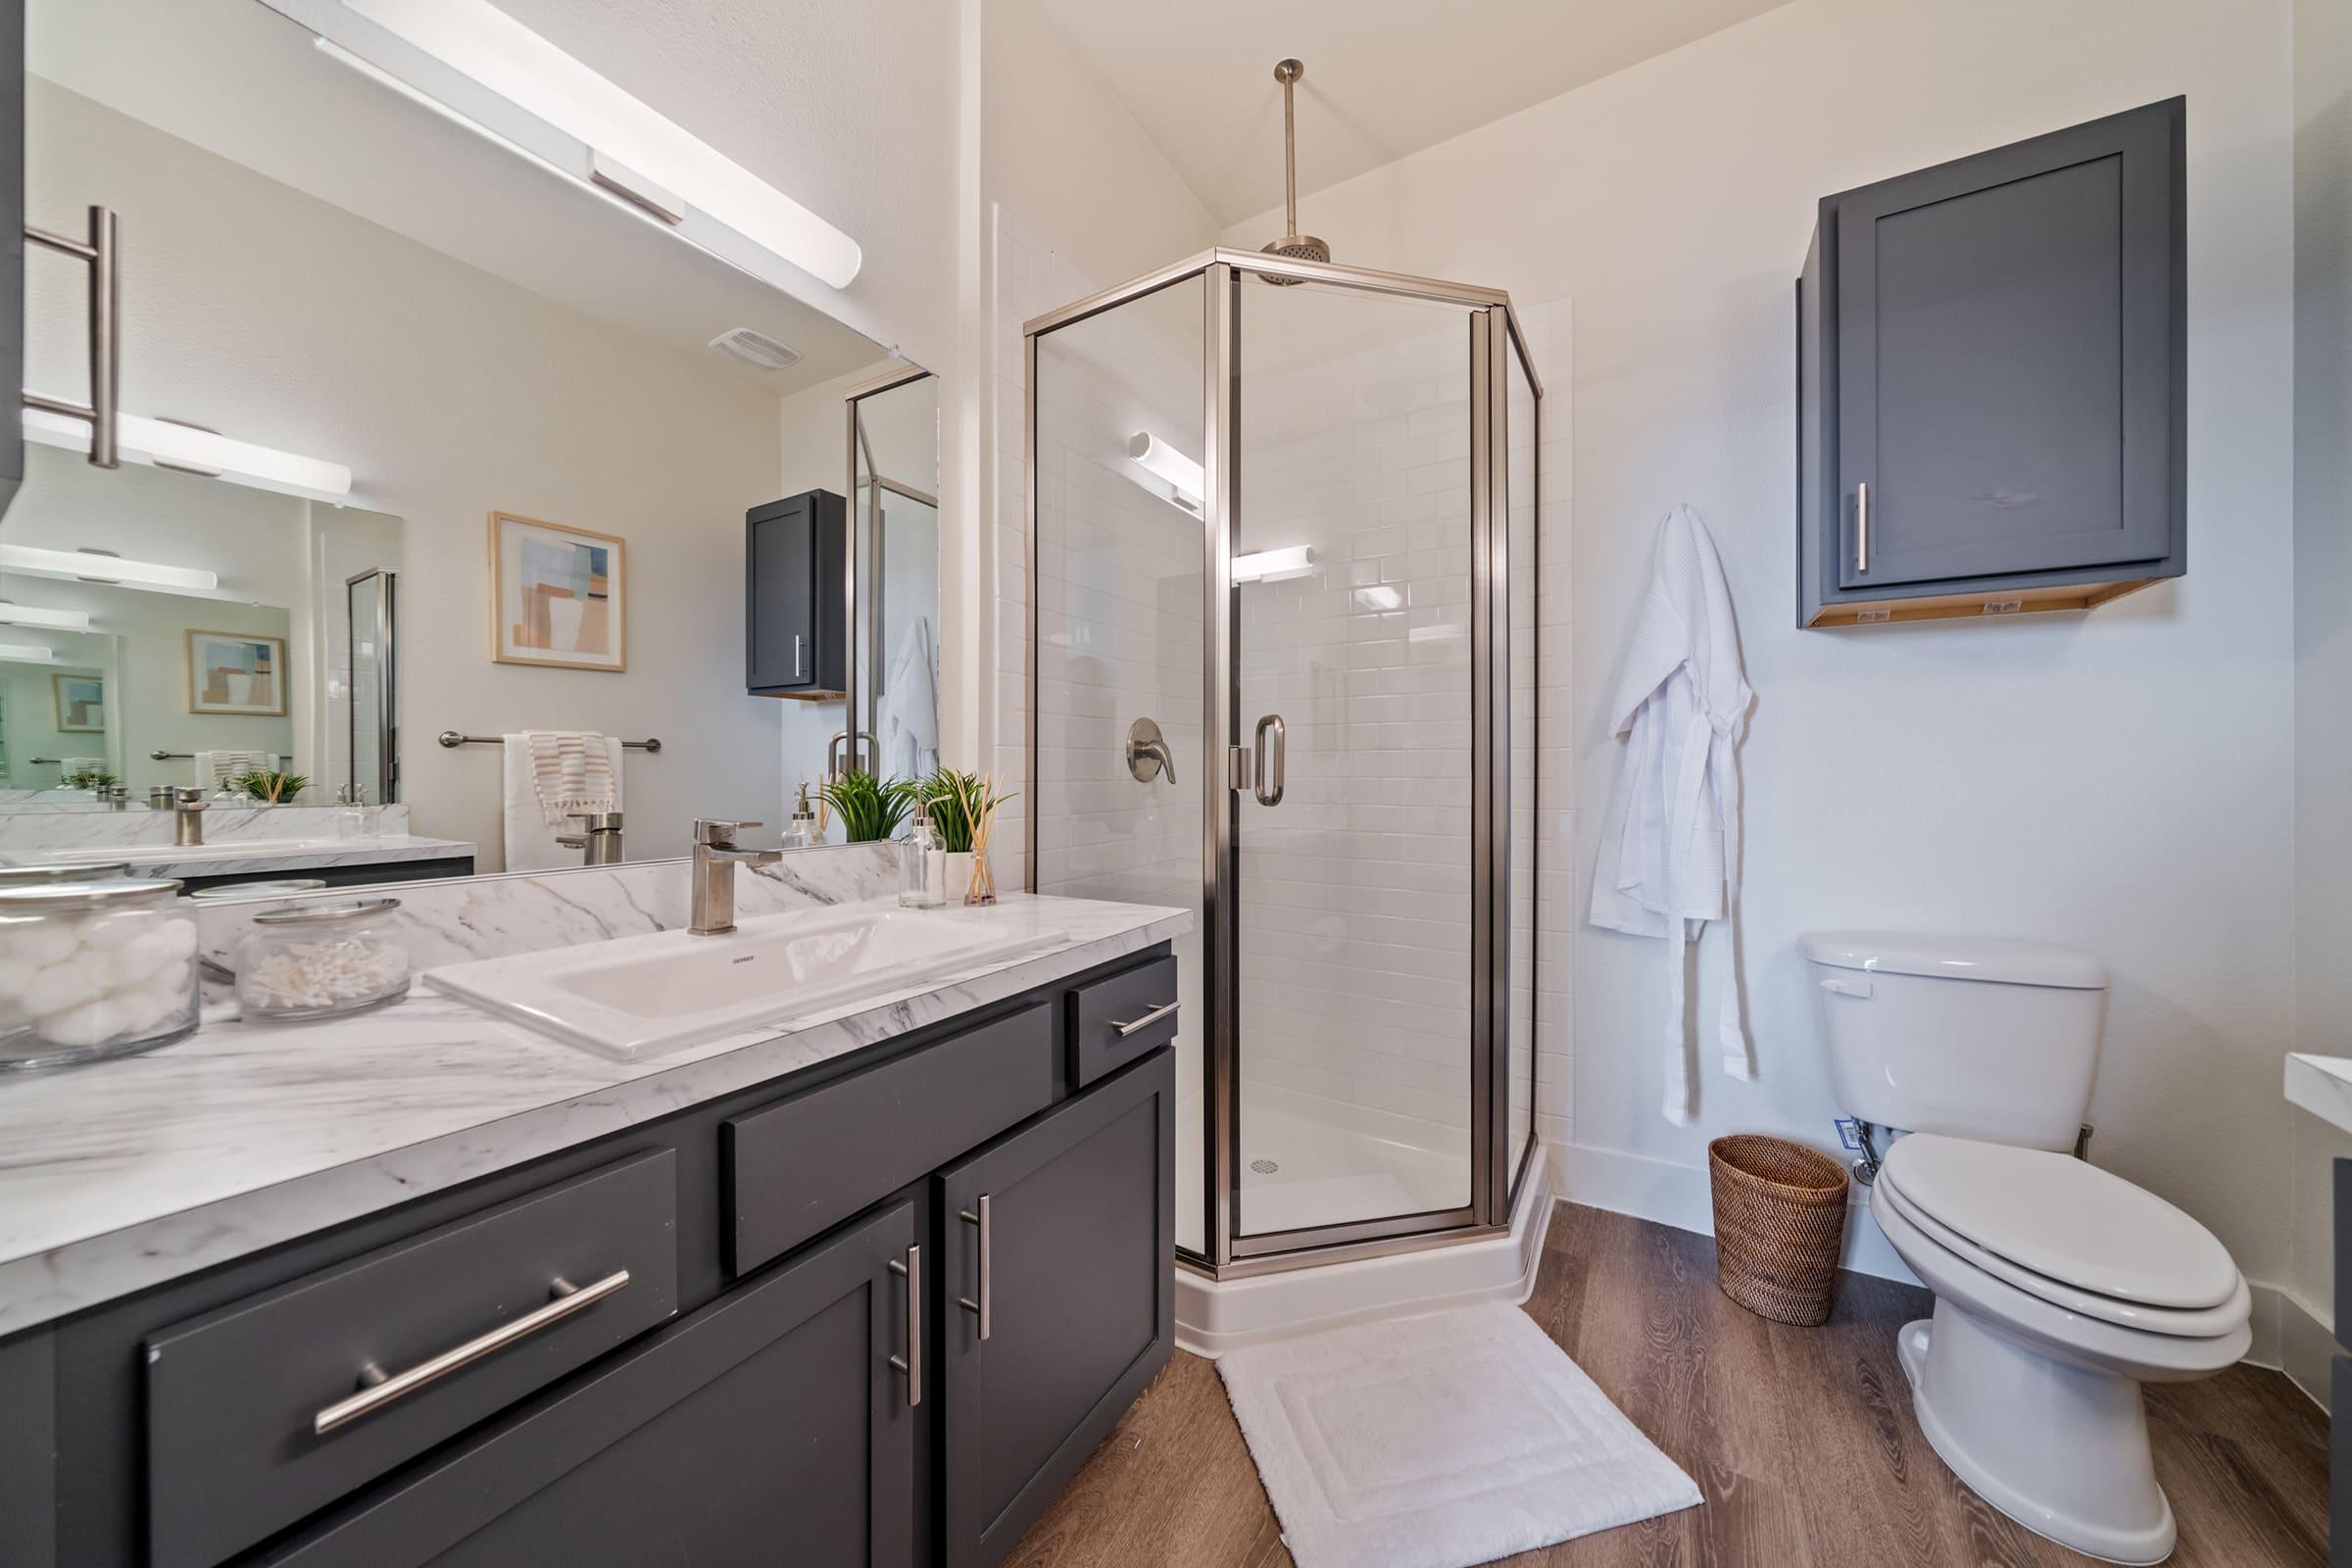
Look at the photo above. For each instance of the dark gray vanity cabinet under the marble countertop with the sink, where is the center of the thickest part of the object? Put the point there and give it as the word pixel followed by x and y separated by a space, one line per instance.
pixel 794 1369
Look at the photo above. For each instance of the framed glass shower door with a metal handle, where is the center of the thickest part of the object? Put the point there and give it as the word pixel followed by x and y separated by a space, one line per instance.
pixel 1351 878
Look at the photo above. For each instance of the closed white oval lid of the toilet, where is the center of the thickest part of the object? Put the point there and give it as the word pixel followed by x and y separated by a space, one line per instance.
pixel 2064 1219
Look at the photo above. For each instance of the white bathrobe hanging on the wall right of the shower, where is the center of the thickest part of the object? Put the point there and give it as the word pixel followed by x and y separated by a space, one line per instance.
pixel 1671 845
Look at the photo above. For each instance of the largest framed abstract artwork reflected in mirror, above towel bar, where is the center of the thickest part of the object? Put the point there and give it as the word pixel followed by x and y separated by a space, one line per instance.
pixel 556 596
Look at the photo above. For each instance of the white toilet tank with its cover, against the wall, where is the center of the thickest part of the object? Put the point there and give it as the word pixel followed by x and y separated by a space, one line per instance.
pixel 1960 1036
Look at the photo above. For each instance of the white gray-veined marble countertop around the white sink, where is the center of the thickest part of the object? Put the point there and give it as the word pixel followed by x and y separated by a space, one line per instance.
pixel 241 1137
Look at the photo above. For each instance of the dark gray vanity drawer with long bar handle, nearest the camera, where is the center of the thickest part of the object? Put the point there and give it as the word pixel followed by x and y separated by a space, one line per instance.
pixel 462 1320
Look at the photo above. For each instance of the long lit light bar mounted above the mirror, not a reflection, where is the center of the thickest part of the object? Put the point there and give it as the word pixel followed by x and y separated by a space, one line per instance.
pixel 632 142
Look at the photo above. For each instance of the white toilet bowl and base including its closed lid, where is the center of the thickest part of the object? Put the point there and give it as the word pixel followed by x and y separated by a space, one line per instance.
pixel 2059 1292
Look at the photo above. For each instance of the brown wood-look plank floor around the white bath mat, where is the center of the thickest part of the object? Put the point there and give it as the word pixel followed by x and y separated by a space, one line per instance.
pixel 1803 1442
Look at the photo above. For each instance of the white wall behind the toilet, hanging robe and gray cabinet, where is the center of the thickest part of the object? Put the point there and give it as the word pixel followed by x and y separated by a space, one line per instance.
pixel 2118 779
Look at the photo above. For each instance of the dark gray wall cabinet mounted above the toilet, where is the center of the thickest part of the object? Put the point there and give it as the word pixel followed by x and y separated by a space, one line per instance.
pixel 1991 380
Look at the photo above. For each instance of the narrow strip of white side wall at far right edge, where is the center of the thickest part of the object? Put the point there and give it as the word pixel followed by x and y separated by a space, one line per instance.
pixel 2323 638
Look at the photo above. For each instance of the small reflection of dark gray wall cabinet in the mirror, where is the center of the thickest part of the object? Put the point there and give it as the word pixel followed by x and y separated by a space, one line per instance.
pixel 796 598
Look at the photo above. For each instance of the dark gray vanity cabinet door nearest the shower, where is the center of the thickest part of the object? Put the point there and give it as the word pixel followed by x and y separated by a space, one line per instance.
pixel 1076 1287
